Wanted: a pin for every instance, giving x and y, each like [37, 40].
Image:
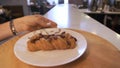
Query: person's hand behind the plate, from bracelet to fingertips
[33, 22]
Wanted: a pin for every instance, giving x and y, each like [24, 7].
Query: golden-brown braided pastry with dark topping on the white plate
[56, 41]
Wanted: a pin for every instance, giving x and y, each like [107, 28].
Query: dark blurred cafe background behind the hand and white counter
[96, 9]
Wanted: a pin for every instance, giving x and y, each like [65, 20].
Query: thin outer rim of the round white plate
[55, 64]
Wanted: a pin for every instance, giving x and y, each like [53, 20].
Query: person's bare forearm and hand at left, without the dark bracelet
[26, 23]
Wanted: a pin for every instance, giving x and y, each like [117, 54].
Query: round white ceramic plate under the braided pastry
[49, 58]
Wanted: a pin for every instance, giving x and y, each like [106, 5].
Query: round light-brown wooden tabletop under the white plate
[99, 54]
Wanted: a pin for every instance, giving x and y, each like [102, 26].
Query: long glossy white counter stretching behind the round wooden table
[67, 16]
